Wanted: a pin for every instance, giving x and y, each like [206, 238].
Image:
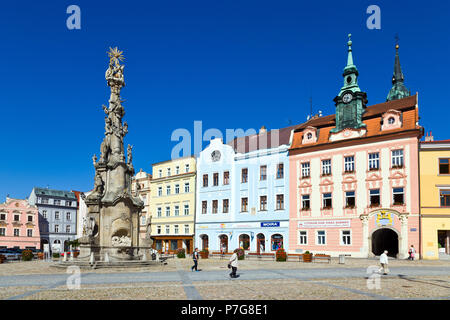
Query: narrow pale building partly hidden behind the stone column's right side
[141, 186]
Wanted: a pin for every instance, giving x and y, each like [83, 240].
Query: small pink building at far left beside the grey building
[19, 225]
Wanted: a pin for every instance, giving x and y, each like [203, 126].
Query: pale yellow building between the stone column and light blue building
[172, 204]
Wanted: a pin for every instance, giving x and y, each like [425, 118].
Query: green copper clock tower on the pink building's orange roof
[351, 101]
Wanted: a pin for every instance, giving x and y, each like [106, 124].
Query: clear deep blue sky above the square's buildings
[230, 64]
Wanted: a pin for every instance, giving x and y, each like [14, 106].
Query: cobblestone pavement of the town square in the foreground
[294, 280]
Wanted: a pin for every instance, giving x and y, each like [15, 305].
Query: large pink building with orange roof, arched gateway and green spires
[354, 175]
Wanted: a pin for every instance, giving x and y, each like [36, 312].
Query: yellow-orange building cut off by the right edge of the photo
[435, 198]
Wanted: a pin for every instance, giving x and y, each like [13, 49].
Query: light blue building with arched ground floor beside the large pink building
[243, 193]
